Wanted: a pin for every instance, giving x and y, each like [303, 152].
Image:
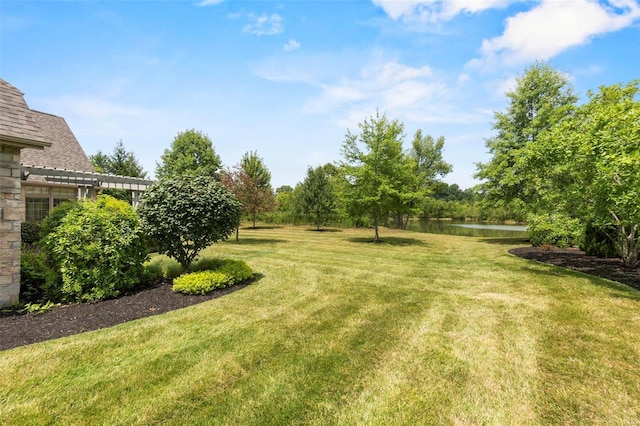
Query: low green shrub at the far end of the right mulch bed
[555, 230]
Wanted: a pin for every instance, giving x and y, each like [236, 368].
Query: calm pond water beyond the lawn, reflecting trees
[468, 229]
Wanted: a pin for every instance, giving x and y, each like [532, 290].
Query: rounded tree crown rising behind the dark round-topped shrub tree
[191, 153]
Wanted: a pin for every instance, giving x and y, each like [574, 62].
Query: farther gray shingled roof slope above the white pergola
[64, 153]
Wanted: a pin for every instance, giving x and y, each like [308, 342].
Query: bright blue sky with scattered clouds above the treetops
[289, 78]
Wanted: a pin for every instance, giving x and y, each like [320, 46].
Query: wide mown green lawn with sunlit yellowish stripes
[422, 329]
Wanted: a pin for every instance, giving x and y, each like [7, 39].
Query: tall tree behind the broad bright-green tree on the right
[542, 97]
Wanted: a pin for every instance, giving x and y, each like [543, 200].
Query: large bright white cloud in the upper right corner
[553, 27]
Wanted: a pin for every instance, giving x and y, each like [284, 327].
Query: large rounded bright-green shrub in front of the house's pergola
[99, 249]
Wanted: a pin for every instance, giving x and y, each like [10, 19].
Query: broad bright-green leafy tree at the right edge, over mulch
[588, 165]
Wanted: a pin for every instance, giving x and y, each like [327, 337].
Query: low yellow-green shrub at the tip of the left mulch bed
[226, 273]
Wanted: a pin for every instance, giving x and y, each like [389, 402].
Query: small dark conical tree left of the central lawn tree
[317, 197]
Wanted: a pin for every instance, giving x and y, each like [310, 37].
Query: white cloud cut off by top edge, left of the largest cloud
[429, 11]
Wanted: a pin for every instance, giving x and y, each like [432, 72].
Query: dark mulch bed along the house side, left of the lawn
[19, 330]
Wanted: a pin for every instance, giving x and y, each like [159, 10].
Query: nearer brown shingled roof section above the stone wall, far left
[17, 122]
